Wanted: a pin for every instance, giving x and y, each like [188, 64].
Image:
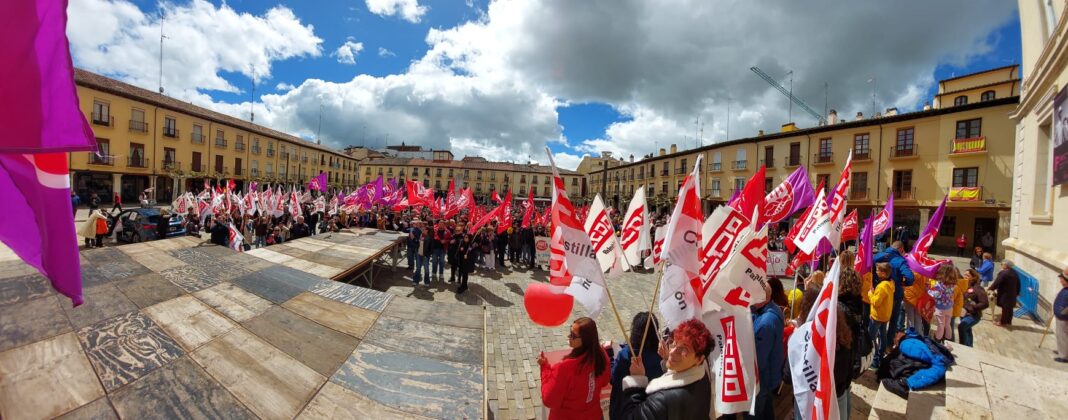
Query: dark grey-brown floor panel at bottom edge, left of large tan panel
[180, 391]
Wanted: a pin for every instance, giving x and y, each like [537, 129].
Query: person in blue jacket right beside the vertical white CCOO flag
[768, 323]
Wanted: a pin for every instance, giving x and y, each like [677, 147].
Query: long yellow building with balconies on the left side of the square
[146, 141]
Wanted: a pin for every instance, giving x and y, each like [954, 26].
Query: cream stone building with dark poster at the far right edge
[1040, 207]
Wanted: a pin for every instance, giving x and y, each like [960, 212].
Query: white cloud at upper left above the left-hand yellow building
[203, 41]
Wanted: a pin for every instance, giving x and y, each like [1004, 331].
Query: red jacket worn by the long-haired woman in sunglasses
[571, 392]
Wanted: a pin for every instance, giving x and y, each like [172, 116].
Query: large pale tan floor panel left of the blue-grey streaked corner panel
[269, 382]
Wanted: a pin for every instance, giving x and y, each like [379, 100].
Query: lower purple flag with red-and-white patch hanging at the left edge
[38, 223]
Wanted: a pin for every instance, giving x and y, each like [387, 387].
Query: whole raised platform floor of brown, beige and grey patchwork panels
[176, 330]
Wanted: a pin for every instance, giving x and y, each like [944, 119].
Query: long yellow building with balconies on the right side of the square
[963, 151]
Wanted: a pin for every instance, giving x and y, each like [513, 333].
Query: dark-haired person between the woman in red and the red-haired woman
[621, 366]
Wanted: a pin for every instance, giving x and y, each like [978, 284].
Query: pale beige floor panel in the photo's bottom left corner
[46, 379]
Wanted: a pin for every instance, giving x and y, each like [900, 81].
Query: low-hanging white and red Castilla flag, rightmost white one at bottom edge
[812, 352]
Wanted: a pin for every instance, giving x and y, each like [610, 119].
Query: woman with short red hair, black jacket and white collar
[684, 392]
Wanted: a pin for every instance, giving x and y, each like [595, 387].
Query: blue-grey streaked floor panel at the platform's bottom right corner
[414, 384]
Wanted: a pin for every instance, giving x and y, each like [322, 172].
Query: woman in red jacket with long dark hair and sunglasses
[572, 388]
